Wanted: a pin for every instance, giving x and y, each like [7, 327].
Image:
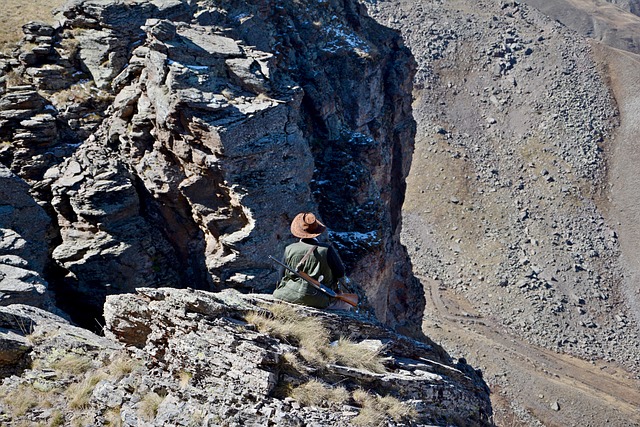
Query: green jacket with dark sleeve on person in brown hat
[323, 261]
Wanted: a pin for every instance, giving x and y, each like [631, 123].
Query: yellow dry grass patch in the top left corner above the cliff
[15, 13]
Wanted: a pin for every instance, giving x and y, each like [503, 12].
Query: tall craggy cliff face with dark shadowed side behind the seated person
[172, 143]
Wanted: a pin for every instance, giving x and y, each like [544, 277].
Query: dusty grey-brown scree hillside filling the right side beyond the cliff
[511, 218]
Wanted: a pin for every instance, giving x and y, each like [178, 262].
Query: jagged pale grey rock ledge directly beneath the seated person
[238, 373]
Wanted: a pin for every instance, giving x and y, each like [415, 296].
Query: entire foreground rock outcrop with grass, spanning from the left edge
[191, 358]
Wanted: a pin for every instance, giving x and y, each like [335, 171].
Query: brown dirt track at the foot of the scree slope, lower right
[554, 389]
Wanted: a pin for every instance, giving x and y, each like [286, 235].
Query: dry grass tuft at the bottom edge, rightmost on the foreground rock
[376, 409]
